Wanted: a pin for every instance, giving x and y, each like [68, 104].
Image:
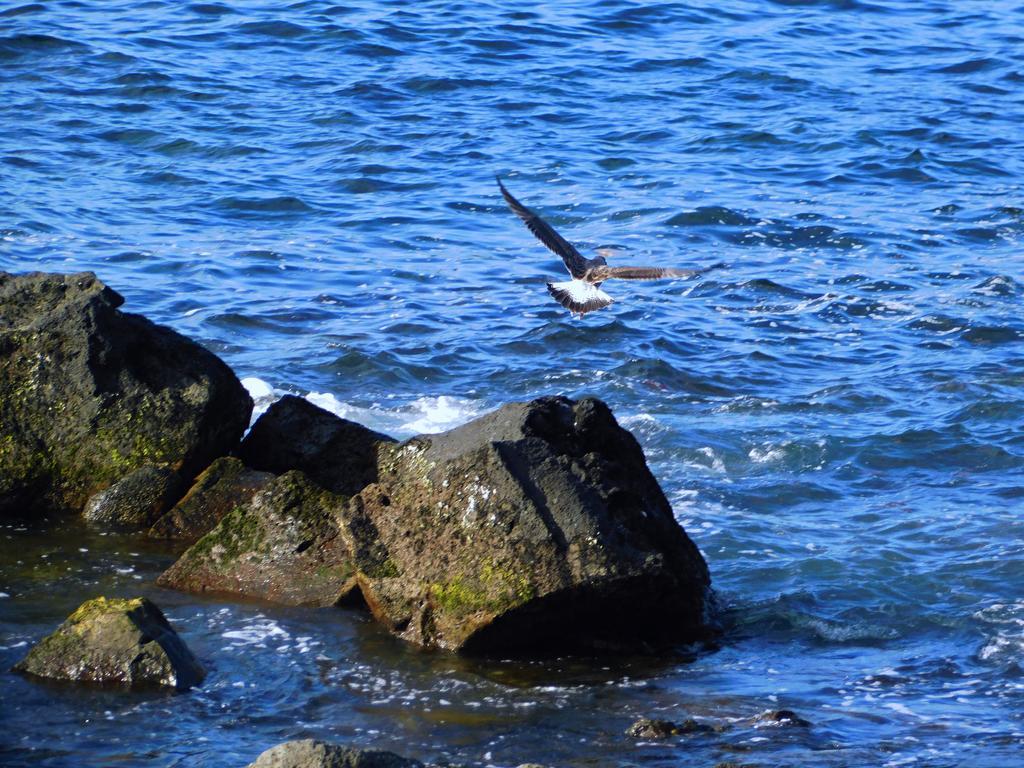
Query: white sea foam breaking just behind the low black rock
[426, 415]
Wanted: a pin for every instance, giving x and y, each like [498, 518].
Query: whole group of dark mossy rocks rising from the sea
[537, 530]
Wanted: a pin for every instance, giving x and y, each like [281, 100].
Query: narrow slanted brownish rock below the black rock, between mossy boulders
[224, 486]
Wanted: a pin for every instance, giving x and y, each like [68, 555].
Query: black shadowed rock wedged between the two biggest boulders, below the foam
[339, 455]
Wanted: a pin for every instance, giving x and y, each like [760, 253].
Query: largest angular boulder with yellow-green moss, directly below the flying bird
[537, 529]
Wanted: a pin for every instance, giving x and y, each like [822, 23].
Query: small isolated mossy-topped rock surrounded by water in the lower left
[115, 642]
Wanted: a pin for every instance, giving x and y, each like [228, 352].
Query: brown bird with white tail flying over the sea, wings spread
[583, 294]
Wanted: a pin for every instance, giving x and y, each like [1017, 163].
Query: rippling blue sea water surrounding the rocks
[837, 413]
